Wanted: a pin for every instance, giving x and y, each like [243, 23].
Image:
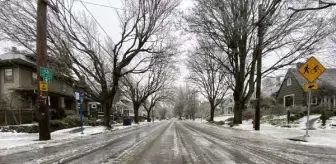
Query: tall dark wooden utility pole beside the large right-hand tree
[261, 31]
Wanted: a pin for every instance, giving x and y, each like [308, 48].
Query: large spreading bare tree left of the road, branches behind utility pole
[74, 39]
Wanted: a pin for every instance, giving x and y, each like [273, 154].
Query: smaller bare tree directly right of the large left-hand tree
[138, 87]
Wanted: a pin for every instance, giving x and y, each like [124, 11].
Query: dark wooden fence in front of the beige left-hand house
[16, 117]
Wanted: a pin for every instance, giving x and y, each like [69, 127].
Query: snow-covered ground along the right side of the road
[317, 137]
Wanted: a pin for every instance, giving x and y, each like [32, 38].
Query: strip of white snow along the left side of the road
[11, 140]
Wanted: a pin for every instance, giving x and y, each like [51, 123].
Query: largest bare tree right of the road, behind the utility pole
[230, 26]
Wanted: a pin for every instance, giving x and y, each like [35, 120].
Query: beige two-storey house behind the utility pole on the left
[18, 75]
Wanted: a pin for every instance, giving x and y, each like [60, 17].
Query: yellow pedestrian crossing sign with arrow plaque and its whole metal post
[311, 70]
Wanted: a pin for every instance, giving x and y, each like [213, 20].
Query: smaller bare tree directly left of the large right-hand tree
[208, 75]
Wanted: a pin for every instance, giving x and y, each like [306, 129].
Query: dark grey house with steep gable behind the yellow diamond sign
[292, 93]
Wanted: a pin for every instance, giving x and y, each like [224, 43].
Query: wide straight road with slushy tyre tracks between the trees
[176, 142]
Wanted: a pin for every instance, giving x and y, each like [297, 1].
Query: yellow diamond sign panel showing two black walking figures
[312, 69]
